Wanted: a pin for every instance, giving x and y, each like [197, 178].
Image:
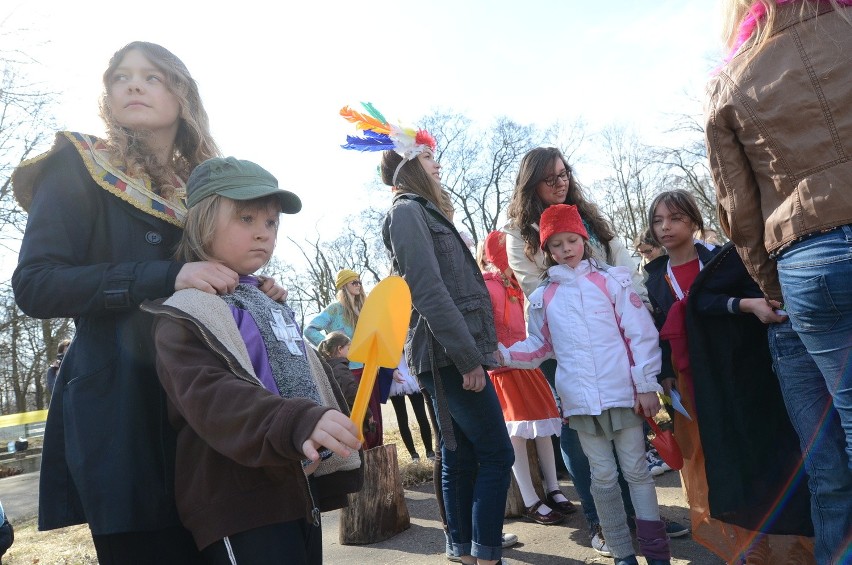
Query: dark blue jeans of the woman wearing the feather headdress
[476, 476]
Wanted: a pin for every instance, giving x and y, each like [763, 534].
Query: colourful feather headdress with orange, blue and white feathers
[379, 135]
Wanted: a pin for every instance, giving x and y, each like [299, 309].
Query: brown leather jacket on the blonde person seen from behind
[779, 138]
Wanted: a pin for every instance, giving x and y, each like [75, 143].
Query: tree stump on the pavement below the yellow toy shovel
[378, 511]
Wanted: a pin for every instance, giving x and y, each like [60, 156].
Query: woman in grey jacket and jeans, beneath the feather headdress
[451, 338]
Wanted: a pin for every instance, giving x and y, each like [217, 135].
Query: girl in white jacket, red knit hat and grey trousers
[607, 348]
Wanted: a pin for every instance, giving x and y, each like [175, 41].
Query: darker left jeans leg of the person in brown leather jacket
[821, 438]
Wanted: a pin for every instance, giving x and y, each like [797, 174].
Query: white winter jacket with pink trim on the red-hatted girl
[580, 325]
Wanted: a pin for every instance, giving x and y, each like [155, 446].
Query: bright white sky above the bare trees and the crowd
[273, 75]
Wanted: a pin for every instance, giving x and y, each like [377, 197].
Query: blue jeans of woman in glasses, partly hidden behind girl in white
[578, 464]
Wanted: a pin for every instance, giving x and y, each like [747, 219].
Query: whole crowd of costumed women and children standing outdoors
[228, 426]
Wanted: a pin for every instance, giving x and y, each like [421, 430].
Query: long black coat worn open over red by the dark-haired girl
[750, 448]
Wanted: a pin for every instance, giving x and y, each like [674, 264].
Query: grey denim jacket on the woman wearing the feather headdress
[449, 297]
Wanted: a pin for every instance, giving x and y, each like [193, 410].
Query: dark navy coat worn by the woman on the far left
[88, 254]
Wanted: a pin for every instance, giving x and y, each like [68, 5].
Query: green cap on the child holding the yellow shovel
[238, 180]
